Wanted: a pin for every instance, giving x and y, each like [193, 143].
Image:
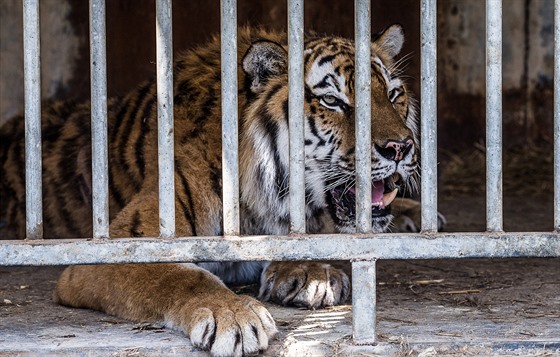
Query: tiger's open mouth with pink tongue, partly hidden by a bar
[343, 201]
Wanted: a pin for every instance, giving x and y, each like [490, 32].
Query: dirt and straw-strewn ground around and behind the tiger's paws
[425, 307]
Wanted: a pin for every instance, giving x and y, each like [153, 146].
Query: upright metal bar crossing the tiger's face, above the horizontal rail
[362, 29]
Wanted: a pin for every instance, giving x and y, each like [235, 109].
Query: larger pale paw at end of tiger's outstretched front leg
[240, 326]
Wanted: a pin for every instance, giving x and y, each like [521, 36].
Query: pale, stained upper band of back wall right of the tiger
[527, 47]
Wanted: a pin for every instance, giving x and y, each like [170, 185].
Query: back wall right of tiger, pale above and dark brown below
[528, 60]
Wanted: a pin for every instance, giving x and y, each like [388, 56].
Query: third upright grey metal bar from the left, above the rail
[164, 55]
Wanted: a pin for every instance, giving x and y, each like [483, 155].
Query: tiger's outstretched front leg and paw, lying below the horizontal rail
[182, 296]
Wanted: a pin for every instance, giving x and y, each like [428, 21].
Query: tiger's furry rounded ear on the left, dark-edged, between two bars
[263, 60]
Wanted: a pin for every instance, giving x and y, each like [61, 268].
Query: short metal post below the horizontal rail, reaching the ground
[363, 302]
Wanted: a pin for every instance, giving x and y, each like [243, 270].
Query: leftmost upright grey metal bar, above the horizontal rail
[32, 92]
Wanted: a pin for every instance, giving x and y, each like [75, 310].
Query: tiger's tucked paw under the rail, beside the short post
[304, 284]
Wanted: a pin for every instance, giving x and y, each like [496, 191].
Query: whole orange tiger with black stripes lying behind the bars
[195, 298]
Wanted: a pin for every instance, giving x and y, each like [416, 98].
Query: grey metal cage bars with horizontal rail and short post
[363, 248]
